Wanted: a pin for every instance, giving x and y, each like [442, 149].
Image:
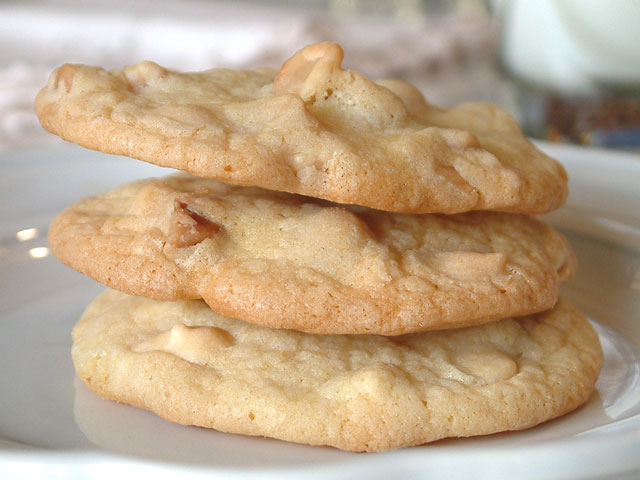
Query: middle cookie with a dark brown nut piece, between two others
[288, 261]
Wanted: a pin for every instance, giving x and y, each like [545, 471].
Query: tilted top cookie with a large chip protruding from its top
[313, 129]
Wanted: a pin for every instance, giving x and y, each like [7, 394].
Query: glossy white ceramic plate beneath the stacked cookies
[50, 425]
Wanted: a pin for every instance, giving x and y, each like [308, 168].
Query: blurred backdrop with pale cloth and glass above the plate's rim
[568, 70]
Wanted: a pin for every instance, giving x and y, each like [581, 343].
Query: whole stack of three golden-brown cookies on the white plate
[343, 264]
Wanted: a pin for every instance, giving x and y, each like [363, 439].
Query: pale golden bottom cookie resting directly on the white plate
[354, 392]
